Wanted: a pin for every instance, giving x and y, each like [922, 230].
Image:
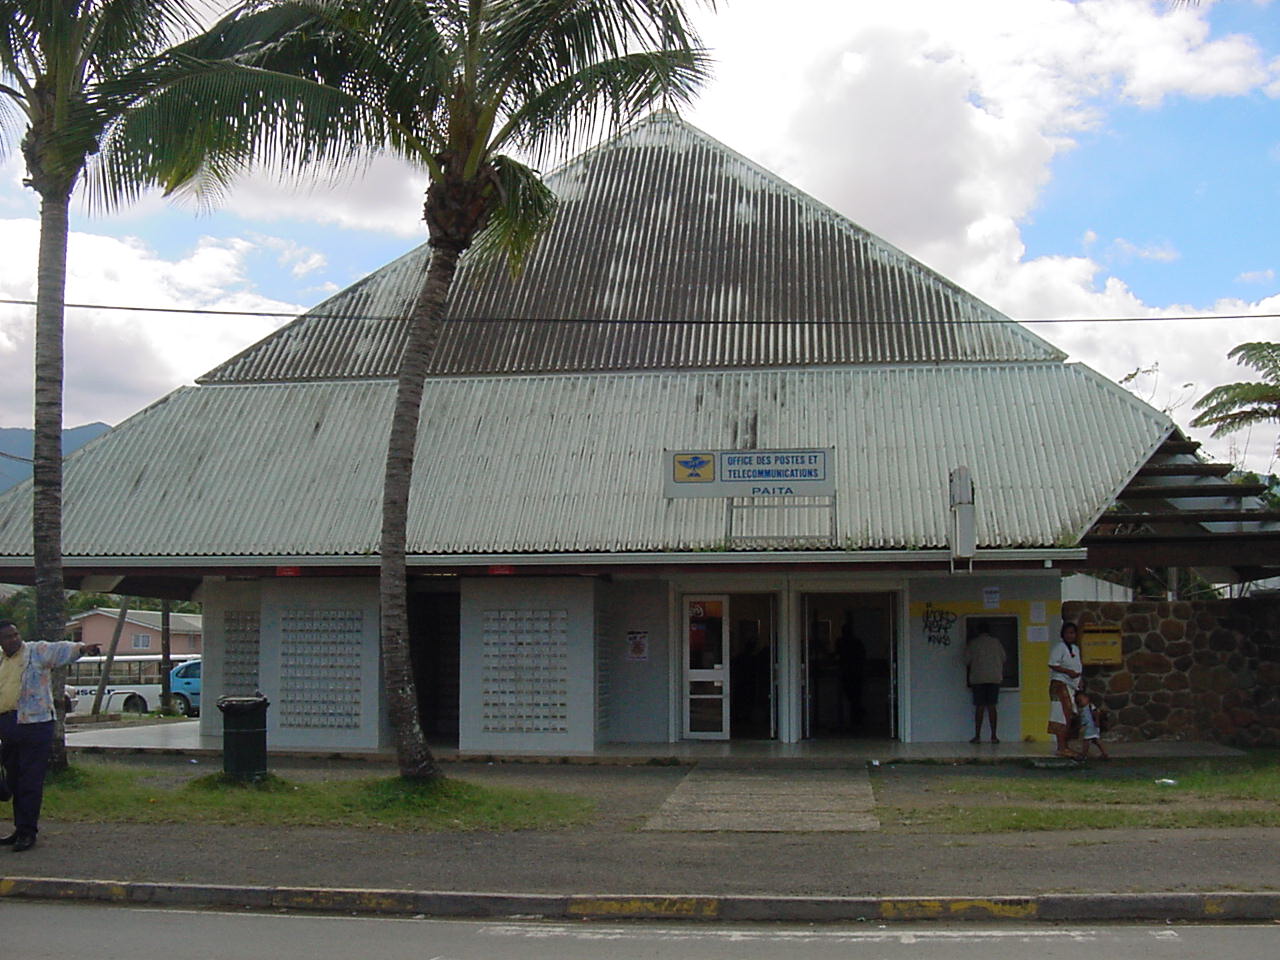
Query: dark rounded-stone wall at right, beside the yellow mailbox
[1191, 671]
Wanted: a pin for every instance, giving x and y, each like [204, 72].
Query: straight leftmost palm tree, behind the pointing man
[71, 72]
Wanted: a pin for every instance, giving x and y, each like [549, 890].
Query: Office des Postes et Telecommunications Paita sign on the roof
[801, 473]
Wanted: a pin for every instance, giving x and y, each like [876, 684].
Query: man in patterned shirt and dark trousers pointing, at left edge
[28, 724]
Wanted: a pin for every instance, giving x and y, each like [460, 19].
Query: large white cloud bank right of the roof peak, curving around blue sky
[935, 125]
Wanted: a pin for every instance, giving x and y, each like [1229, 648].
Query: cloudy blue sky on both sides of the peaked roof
[1062, 159]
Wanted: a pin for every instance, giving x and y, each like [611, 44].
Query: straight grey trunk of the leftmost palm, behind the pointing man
[47, 516]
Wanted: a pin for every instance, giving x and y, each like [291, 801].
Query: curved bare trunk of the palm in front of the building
[413, 755]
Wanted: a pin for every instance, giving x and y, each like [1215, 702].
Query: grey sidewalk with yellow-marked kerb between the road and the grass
[615, 868]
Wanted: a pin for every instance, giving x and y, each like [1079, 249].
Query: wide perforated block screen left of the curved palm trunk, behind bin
[321, 653]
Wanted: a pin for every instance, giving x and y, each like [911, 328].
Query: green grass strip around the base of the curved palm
[99, 793]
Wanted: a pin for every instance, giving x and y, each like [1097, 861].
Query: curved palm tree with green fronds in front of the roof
[460, 85]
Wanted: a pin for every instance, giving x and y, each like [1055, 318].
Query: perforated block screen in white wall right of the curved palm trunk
[524, 675]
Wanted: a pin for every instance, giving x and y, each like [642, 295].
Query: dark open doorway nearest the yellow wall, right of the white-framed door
[849, 666]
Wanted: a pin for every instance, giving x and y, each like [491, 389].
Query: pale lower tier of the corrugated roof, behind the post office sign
[572, 464]
